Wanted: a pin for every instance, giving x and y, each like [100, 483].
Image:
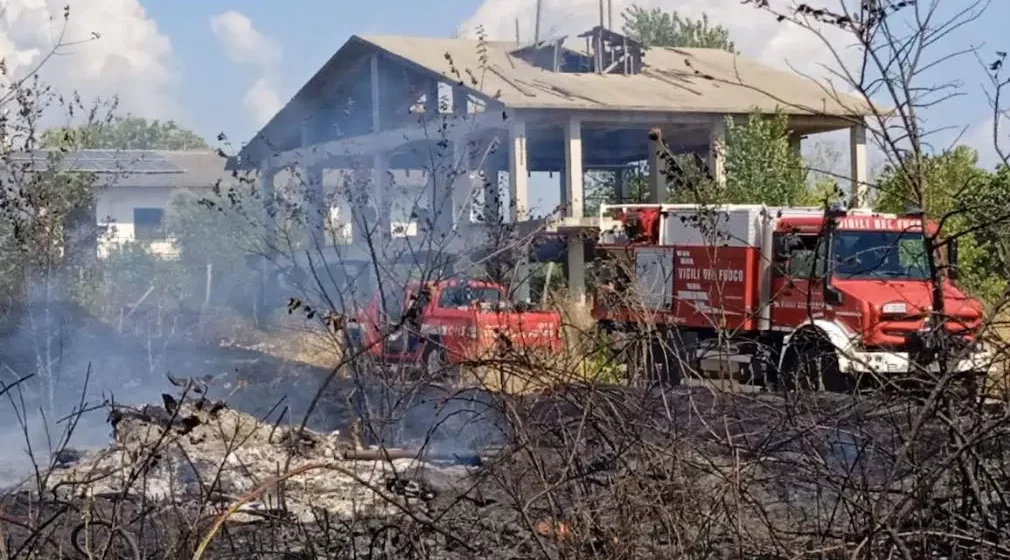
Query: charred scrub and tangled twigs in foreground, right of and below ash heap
[618, 474]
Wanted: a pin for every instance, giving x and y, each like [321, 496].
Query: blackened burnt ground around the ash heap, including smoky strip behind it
[589, 473]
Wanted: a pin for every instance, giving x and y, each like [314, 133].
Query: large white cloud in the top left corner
[131, 57]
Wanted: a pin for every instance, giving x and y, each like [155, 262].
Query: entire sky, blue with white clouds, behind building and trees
[168, 59]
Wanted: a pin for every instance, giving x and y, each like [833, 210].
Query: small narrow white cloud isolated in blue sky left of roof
[245, 45]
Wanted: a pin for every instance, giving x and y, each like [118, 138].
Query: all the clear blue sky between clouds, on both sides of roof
[309, 32]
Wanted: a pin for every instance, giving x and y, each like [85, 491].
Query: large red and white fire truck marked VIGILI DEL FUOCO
[819, 299]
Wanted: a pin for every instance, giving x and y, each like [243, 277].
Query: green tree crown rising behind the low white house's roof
[129, 133]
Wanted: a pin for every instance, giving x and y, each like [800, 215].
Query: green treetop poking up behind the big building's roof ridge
[657, 28]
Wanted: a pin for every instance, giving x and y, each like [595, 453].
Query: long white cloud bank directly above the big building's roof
[756, 33]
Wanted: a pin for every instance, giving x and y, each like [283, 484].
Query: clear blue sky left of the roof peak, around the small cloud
[309, 32]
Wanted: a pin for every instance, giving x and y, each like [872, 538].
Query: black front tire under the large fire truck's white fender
[812, 364]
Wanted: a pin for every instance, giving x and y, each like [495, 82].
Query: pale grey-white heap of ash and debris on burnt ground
[205, 452]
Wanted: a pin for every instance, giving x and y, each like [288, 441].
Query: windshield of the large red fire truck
[889, 255]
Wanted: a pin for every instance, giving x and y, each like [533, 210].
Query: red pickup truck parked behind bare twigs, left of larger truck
[450, 323]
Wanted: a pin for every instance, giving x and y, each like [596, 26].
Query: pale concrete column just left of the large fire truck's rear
[574, 208]
